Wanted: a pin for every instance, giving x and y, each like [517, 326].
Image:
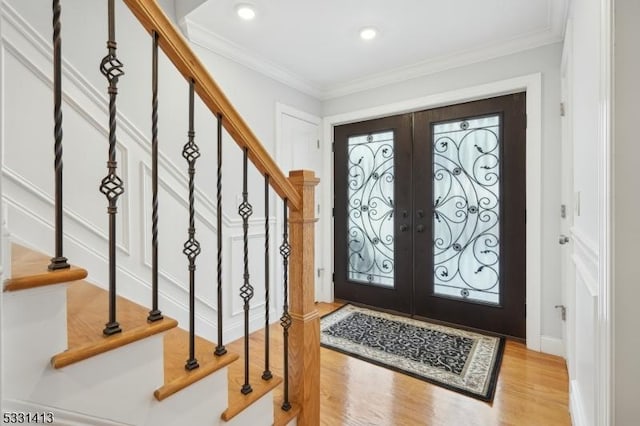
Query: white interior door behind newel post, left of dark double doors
[299, 148]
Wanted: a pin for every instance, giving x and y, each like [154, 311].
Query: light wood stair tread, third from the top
[176, 353]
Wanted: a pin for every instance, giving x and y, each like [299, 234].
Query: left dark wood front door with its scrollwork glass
[372, 262]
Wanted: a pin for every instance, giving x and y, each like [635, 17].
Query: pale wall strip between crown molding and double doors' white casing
[545, 60]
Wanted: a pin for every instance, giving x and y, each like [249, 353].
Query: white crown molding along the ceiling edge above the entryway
[552, 33]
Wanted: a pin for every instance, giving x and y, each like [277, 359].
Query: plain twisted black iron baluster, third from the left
[154, 314]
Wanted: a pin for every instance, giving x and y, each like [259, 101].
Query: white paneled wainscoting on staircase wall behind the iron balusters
[27, 170]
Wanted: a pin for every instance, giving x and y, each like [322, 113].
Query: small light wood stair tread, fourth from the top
[237, 401]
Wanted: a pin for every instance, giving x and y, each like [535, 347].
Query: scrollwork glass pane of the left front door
[370, 231]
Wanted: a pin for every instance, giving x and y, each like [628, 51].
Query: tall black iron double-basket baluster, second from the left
[112, 186]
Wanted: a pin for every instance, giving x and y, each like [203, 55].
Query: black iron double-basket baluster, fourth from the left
[191, 152]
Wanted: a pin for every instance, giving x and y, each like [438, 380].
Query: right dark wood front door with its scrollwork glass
[469, 198]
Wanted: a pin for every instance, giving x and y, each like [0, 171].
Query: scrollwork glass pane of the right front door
[466, 209]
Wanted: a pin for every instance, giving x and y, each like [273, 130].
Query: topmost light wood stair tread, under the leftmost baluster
[29, 270]
